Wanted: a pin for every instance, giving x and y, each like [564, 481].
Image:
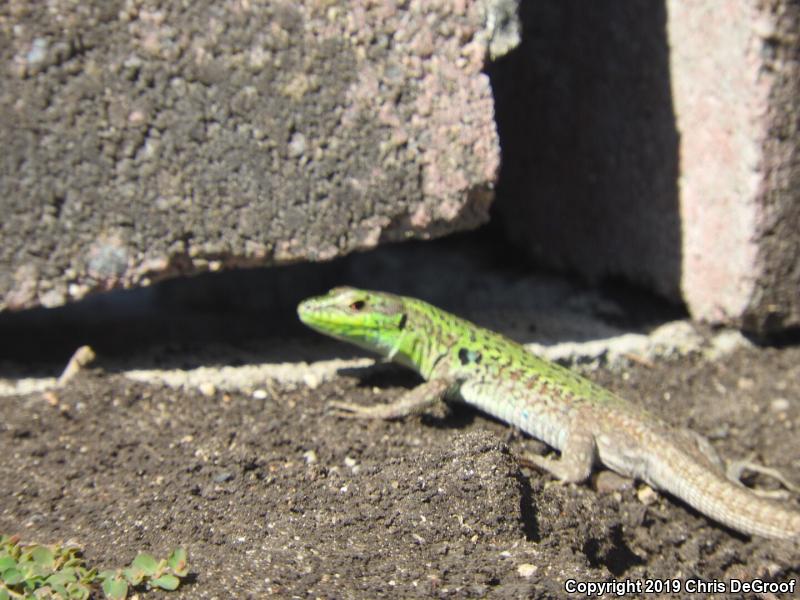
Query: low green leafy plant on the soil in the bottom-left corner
[58, 572]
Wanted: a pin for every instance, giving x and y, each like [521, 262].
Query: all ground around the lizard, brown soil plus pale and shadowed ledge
[228, 448]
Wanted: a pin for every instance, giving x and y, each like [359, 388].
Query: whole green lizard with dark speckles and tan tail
[585, 422]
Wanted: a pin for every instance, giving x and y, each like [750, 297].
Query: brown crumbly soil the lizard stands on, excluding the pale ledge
[273, 495]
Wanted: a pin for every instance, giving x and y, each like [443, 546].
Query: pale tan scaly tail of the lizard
[727, 502]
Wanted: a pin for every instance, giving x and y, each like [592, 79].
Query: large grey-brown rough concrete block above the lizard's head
[144, 138]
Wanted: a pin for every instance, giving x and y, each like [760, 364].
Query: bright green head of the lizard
[375, 321]
